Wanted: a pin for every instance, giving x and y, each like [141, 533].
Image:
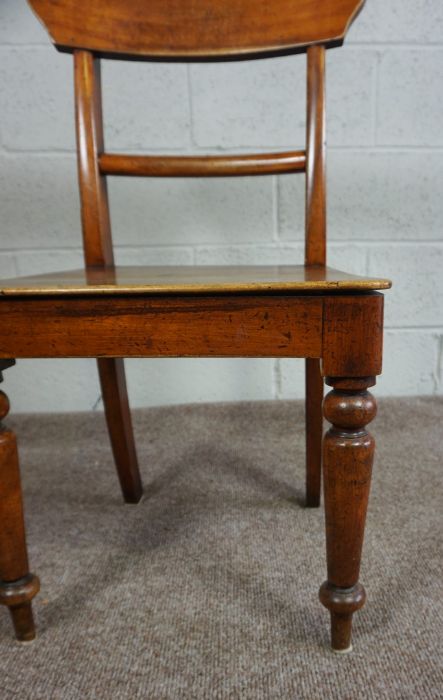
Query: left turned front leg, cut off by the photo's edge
[17, 585]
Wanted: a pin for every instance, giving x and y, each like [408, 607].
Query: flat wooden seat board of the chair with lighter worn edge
[149, 280]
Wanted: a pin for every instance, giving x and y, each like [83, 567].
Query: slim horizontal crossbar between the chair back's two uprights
[202, 166]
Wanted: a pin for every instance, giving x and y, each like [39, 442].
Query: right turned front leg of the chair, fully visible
[348, 451]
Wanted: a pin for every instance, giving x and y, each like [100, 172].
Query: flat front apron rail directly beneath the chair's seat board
[172, 326]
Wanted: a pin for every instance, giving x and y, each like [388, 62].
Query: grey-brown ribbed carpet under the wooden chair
[208, 588]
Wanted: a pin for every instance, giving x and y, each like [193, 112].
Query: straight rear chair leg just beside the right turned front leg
[314, 431]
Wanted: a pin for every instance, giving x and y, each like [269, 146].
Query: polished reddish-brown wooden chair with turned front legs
[332, 319]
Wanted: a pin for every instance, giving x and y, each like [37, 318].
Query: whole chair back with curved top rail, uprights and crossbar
[191, 30]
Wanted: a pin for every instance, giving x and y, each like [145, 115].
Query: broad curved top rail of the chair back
[195, 28]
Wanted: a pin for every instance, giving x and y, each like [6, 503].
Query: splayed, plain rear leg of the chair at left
[118, 417]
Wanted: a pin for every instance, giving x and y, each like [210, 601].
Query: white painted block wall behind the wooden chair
[385, 102]
